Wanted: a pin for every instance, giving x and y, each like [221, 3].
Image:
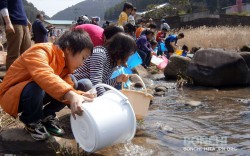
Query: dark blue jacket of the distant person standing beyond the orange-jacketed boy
[40, 33]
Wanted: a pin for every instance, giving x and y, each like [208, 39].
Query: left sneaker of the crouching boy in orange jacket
[37, 131]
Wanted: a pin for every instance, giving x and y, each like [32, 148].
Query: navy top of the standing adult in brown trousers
[16, 11]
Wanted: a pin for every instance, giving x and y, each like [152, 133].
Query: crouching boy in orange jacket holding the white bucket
[37, 84]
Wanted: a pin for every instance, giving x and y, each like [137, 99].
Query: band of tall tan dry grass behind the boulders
[232, 38]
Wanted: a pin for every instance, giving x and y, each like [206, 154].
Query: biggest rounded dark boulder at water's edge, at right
[216, 68]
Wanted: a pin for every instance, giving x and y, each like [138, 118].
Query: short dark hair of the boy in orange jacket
[75, 40]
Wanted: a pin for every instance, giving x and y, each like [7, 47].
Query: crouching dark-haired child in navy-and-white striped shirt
[99, 67]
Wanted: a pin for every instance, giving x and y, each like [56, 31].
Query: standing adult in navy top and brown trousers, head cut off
[17, 29]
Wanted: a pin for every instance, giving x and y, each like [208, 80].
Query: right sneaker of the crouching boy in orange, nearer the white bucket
[51, 124]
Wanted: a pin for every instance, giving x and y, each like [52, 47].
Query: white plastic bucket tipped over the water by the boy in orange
[106, 121]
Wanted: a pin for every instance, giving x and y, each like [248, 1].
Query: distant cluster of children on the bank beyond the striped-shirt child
[147, 37]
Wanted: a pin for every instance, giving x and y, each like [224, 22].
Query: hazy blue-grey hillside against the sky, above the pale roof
[88, 7]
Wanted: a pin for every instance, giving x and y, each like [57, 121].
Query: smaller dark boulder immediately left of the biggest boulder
[176, 65]
